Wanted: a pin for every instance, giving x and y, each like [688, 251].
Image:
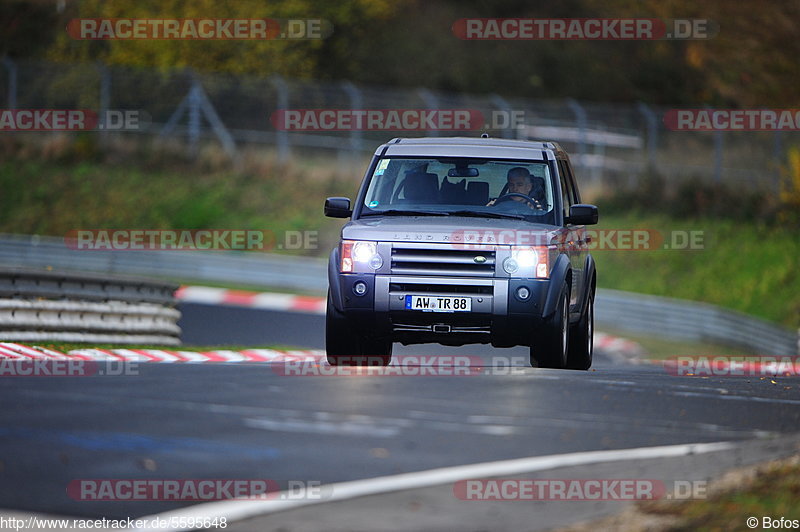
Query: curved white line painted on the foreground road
[237, 510]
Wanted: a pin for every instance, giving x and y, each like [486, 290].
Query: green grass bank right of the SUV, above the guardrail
[745, 267]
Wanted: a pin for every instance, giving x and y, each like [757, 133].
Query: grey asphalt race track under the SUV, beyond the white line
[246, 421]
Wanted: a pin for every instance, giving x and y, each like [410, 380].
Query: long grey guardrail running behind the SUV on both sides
[625, 311]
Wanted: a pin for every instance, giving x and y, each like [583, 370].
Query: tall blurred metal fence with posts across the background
[615, 142]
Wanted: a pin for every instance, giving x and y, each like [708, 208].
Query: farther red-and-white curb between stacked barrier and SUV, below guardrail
[262, 300]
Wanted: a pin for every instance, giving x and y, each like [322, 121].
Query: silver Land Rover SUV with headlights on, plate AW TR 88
[463, 240]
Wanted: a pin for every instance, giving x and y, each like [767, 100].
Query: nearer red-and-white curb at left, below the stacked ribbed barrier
[19, 351]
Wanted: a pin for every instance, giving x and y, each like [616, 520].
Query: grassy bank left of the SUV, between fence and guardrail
[53, 197]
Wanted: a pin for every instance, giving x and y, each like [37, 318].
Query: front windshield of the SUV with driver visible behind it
[462, 187]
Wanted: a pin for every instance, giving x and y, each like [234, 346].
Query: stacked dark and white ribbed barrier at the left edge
[45, 305]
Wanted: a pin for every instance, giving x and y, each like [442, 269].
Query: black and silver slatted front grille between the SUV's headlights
[432, 261]
